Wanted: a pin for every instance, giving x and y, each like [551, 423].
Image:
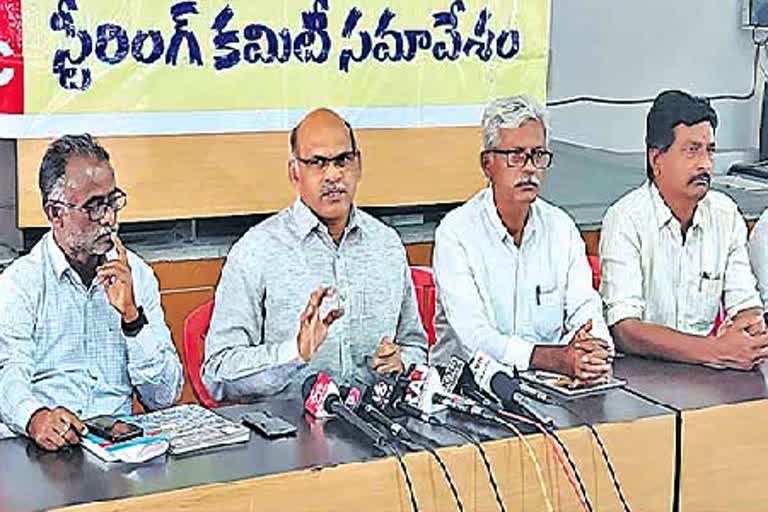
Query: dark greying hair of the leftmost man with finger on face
[54, 164]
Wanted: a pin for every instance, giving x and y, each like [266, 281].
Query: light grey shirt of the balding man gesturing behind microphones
[251, 349]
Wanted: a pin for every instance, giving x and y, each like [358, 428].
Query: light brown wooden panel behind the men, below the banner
[176, 177]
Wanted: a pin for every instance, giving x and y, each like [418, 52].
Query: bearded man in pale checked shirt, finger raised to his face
[80, 319]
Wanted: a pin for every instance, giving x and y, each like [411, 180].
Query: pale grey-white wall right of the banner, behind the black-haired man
[636, 48]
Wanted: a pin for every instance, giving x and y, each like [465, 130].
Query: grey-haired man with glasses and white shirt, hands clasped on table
[511, 270]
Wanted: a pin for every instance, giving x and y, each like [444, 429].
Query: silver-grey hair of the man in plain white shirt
[512, 112]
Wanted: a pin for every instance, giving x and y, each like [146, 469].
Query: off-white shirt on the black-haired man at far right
[649, 272]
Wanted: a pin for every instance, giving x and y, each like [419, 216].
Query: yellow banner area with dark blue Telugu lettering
[153, 56]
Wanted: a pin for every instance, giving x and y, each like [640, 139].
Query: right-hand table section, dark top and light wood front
[721, 413]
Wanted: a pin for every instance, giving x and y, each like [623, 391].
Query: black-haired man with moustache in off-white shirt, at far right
[673, 252]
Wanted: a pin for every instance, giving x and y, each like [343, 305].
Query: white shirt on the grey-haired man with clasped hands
[503, 300]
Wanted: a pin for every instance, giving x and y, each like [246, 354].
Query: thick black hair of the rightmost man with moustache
[669, 109]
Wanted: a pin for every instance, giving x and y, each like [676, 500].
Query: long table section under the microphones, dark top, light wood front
[328, 467]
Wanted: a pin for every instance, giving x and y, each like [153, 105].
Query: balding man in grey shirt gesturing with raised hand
[319, 286]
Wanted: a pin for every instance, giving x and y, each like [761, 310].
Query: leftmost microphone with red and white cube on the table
[322, 400]
